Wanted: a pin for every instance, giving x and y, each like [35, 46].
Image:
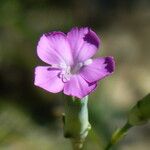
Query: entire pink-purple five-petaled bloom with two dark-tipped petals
[71, 68]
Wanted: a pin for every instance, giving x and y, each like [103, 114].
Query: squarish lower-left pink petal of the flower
[47, 78]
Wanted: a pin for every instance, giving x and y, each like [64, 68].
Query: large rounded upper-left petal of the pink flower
[54, 48]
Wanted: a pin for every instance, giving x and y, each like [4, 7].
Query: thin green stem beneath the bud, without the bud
[118, 135]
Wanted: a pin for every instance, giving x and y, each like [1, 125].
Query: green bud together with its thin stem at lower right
[138, 115]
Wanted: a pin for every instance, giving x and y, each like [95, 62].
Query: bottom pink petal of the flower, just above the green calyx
[78, 87]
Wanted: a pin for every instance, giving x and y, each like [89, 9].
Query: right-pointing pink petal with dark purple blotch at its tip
[98, 69]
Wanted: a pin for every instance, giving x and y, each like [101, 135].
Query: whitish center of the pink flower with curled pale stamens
[67, 71]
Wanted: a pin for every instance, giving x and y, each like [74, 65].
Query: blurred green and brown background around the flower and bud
[30, 118]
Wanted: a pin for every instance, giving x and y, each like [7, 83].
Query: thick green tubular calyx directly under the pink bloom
[76, 123]
